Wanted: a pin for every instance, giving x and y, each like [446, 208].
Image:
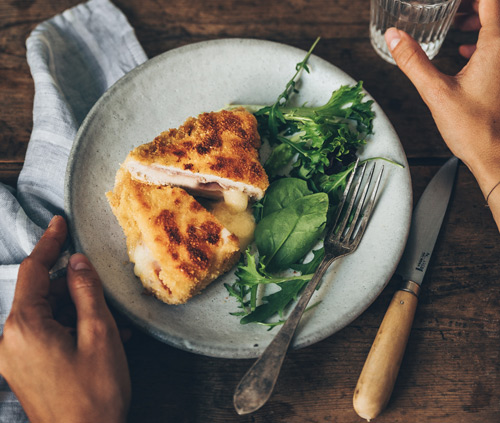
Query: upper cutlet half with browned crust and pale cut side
[213, 155]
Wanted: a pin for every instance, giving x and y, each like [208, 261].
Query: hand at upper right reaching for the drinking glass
[465, 107]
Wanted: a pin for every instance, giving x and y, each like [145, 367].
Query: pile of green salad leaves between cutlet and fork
[319, 144]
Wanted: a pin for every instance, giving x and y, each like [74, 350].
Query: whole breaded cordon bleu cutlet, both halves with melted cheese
[178, 245]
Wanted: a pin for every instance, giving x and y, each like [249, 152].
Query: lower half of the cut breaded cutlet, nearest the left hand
[177, 246]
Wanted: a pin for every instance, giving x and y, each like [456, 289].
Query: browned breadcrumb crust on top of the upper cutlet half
[224, 144]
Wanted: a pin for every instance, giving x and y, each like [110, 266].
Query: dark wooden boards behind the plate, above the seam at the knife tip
[162, 26]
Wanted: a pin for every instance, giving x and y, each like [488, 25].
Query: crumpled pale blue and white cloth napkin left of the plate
[73, 57]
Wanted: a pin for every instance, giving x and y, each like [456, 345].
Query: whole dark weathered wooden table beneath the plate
[451, 370]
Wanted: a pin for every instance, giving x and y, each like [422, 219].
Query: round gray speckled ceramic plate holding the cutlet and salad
[160, 95]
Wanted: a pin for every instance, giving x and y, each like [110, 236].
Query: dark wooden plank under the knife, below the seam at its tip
[449, 373]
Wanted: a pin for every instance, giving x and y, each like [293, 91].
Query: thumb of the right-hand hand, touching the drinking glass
[414, 63]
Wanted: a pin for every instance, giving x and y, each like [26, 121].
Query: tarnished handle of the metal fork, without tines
[257, 385]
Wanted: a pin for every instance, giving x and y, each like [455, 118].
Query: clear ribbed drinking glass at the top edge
[427, 21]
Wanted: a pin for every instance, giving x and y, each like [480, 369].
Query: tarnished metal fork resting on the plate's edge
[343, 238]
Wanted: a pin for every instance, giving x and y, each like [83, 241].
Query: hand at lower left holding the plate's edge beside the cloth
[60, 373]
